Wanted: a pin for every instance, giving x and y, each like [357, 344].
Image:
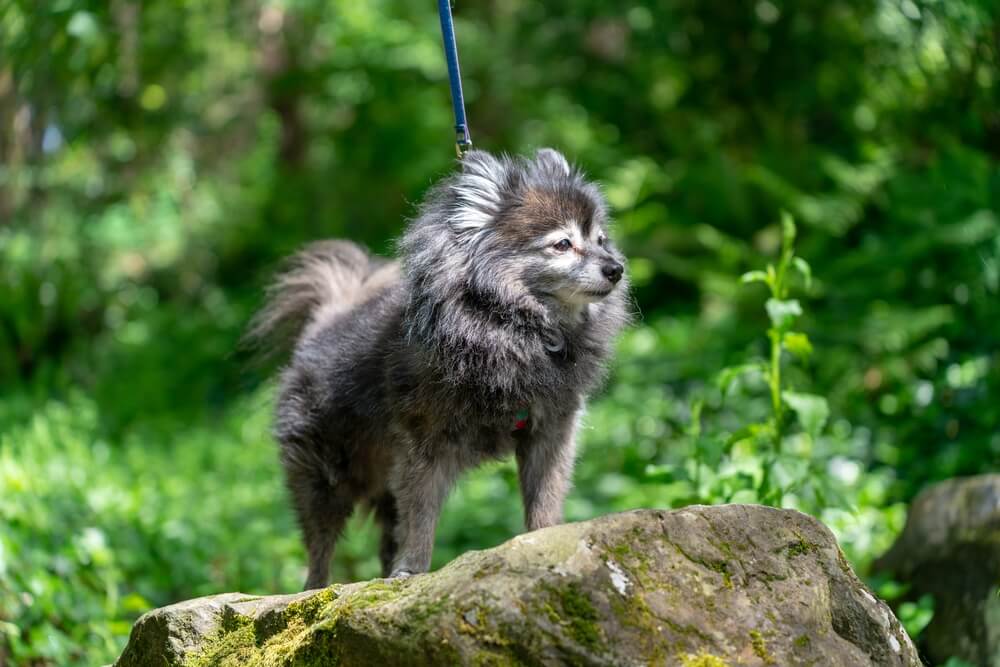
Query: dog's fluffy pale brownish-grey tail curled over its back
[321, 282]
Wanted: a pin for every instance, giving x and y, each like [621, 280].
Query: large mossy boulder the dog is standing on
[698, 587]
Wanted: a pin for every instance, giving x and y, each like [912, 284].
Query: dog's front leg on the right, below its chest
[545, 466]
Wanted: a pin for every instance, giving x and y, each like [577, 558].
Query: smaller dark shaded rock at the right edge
[950, 548]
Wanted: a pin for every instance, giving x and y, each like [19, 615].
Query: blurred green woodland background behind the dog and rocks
[157, 159]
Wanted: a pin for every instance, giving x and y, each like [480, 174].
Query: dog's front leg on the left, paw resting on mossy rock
[420, 486]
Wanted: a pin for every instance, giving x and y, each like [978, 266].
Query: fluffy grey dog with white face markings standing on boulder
[484, 339]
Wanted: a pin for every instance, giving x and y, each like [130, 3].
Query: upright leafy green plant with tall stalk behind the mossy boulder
[754, 454]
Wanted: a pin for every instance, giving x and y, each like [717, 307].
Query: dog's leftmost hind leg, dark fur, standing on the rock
[322, 510]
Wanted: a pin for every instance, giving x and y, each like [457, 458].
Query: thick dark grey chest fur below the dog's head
[466, 380]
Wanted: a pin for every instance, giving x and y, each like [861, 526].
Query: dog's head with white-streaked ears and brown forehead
[534, 226]
